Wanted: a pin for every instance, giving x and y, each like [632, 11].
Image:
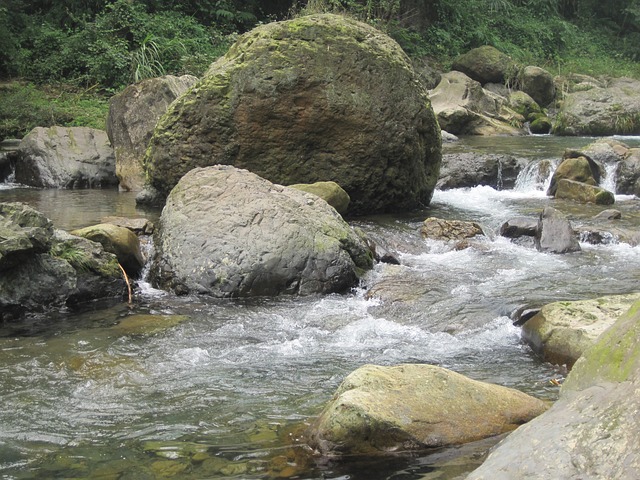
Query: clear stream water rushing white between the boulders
[220, 391]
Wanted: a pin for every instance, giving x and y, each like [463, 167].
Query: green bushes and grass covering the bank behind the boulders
[60, 61]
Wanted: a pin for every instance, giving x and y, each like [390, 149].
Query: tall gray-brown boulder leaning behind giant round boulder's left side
[133, 114]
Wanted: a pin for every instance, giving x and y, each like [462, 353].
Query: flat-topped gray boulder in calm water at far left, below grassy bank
[66, 157]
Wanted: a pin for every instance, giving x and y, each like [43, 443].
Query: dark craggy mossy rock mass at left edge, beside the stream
[43, 269]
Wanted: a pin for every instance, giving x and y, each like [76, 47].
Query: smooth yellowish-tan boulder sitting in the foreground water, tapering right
[380, 410]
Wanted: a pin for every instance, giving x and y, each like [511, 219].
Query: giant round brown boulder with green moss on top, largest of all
[317, 98]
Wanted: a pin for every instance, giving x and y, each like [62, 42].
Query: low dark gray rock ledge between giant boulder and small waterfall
[469, 169]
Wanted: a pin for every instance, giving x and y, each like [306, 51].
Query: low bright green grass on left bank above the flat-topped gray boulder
[25, 106]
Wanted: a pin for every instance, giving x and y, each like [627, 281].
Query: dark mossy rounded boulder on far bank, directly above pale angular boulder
[485, 64]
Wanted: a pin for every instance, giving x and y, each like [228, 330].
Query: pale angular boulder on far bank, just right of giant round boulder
[463, 107]
